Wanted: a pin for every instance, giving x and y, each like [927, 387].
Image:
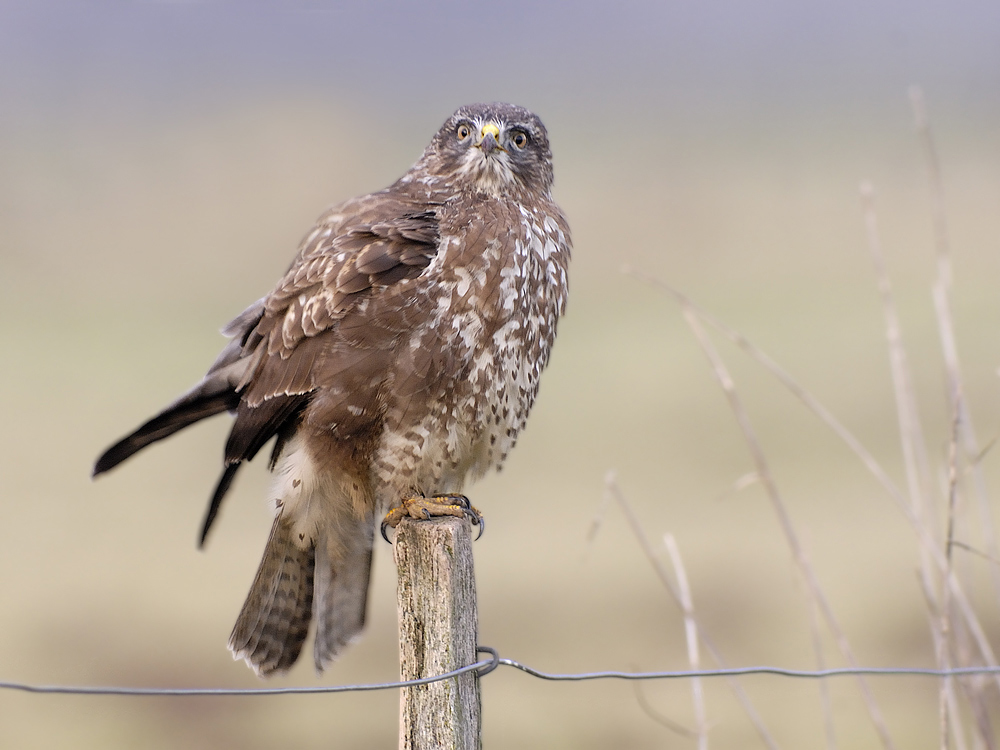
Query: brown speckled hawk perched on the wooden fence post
[397, 358]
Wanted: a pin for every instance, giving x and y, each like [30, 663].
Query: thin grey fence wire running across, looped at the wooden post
[485, 666]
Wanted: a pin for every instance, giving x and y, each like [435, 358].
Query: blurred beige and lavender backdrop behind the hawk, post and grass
[159, 162]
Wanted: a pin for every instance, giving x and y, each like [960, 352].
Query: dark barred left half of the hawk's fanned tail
[274, 621]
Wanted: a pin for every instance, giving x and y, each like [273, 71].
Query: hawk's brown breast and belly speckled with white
[471, 373]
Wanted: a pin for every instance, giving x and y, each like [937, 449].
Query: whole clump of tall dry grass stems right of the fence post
[938, 512]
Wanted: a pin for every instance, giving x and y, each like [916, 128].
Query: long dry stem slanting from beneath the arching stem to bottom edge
[791, 537]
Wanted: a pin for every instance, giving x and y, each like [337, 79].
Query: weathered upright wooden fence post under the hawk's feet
[436, 600]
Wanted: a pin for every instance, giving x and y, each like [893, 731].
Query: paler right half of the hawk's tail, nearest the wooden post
[343, 571]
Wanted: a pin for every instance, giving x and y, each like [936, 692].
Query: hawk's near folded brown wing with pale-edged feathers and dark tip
[318, 330]
